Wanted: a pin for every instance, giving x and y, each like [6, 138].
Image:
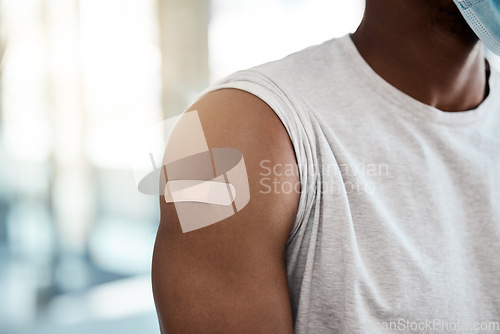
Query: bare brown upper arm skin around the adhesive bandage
[230, 277]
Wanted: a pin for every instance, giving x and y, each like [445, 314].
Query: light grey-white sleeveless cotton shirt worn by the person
[398, 226]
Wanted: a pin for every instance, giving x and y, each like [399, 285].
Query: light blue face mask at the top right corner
[483, 16]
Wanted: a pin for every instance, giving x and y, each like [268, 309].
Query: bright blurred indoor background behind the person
[76, 236]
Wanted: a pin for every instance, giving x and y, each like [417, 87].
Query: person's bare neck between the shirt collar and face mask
[431, 62]
